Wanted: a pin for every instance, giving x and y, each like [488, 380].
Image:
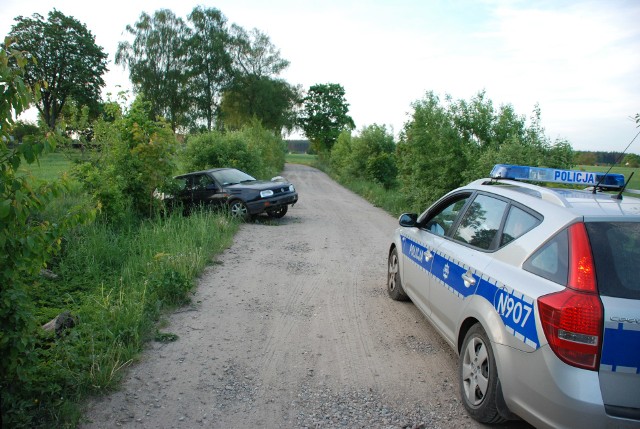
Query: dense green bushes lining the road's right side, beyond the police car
[443, 146]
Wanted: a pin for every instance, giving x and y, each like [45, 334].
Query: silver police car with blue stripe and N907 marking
[537, 289]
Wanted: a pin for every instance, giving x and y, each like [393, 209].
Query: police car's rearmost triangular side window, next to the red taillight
[551, 261]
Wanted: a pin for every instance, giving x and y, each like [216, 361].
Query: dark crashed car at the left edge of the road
[241, 194]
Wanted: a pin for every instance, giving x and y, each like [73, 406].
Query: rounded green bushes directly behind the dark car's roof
[253, 149]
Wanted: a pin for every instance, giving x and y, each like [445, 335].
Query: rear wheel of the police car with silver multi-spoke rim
[478, 377]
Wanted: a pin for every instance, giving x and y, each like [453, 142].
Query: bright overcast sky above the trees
[578, 60]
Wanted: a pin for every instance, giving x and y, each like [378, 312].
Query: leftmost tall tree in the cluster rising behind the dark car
[158, 64]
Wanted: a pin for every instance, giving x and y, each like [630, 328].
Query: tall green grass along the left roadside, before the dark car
[117, 281]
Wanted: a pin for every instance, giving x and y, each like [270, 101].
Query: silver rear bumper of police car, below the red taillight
[548, 393]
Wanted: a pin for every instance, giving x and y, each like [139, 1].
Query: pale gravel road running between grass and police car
[291, 327]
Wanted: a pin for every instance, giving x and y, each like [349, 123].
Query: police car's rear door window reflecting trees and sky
[481, 222]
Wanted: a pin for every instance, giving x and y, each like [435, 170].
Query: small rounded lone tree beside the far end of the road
[325, 116]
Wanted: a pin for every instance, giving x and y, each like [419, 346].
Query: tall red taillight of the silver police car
[572, 319]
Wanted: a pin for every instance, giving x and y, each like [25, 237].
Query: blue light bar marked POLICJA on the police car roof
[553, 175]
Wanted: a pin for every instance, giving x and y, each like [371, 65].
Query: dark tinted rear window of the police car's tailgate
[616, 253]
